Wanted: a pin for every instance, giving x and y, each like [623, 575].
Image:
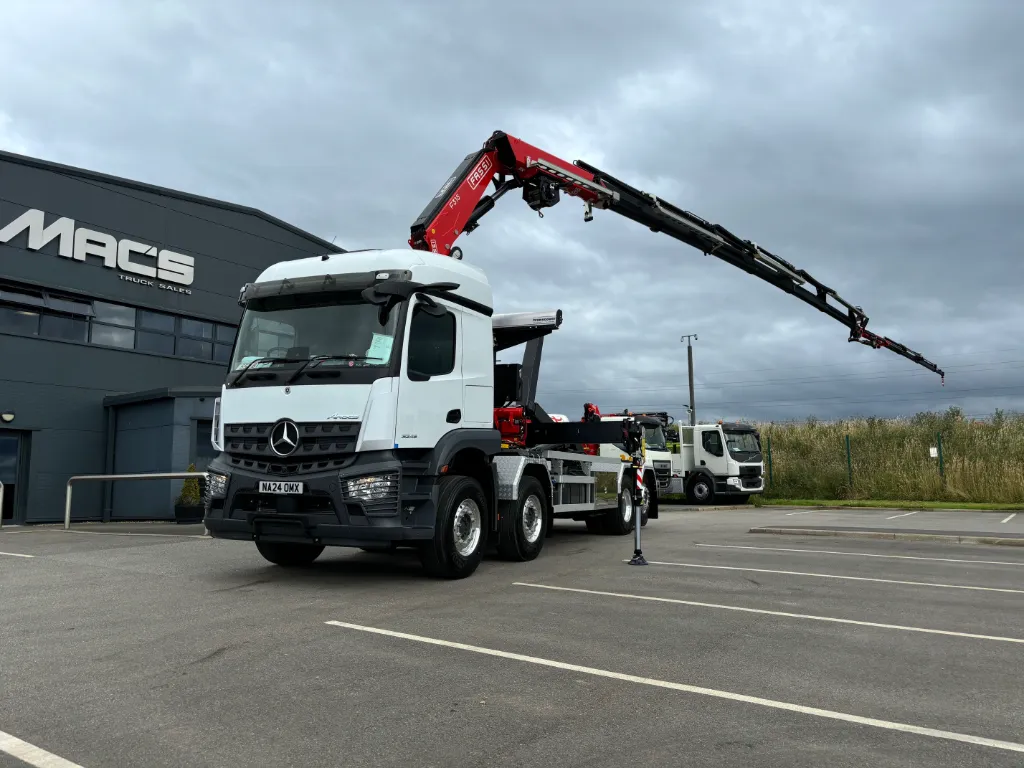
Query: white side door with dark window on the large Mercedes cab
[431, 386]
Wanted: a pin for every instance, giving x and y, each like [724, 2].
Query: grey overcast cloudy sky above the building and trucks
[880, 146]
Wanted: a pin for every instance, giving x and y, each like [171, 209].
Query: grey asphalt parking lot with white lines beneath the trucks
[731, 650]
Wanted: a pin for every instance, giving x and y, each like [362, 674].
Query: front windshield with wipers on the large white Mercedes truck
[347, 331]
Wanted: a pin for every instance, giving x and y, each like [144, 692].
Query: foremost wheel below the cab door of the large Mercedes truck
[460, 530]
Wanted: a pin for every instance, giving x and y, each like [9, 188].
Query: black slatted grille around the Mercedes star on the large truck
[322, 446]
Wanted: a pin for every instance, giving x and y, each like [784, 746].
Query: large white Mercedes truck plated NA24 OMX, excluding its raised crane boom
[364, 408]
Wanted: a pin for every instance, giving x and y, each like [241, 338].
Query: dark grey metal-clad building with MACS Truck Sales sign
[118, 312]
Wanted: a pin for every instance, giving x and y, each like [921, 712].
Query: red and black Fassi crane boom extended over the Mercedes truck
[511, 163]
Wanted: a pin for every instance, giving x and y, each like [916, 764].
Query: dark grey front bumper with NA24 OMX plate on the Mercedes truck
[328, 511]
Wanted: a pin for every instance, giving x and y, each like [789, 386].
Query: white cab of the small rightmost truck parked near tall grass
[718, 461]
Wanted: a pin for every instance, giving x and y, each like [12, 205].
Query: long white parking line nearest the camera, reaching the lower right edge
[800, 709]
